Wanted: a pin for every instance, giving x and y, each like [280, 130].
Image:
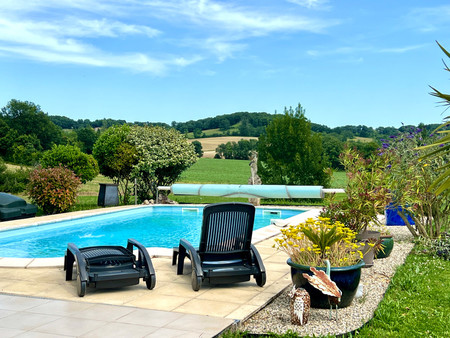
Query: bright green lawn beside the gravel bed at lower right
[416, 304]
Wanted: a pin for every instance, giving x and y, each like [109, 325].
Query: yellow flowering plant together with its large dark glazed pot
[310, 244]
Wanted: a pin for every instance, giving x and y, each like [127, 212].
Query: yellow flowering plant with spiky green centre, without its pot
[312, 242]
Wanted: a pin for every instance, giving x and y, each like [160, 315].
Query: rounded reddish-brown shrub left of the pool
[53, 189]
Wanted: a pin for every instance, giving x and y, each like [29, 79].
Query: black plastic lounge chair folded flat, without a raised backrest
[109, 266]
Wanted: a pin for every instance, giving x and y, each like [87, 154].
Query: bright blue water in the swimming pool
[155, 226]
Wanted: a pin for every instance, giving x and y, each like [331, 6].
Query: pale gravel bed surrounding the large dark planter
[275, 317]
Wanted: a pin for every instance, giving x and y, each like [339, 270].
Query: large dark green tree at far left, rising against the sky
[27, 118]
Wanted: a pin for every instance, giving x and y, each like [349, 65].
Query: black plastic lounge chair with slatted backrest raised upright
[225, 254]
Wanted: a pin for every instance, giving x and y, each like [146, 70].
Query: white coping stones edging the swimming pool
[258, 235]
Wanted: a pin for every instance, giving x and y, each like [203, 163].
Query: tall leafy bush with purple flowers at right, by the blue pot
[411, 174]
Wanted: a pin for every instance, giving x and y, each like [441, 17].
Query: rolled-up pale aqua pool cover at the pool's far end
[249, 191]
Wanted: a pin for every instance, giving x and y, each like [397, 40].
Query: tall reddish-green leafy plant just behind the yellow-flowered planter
[366, 195]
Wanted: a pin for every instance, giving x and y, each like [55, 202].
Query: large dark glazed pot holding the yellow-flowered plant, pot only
[346, 278]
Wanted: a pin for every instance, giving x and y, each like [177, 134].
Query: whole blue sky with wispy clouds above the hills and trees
[347, 62]
